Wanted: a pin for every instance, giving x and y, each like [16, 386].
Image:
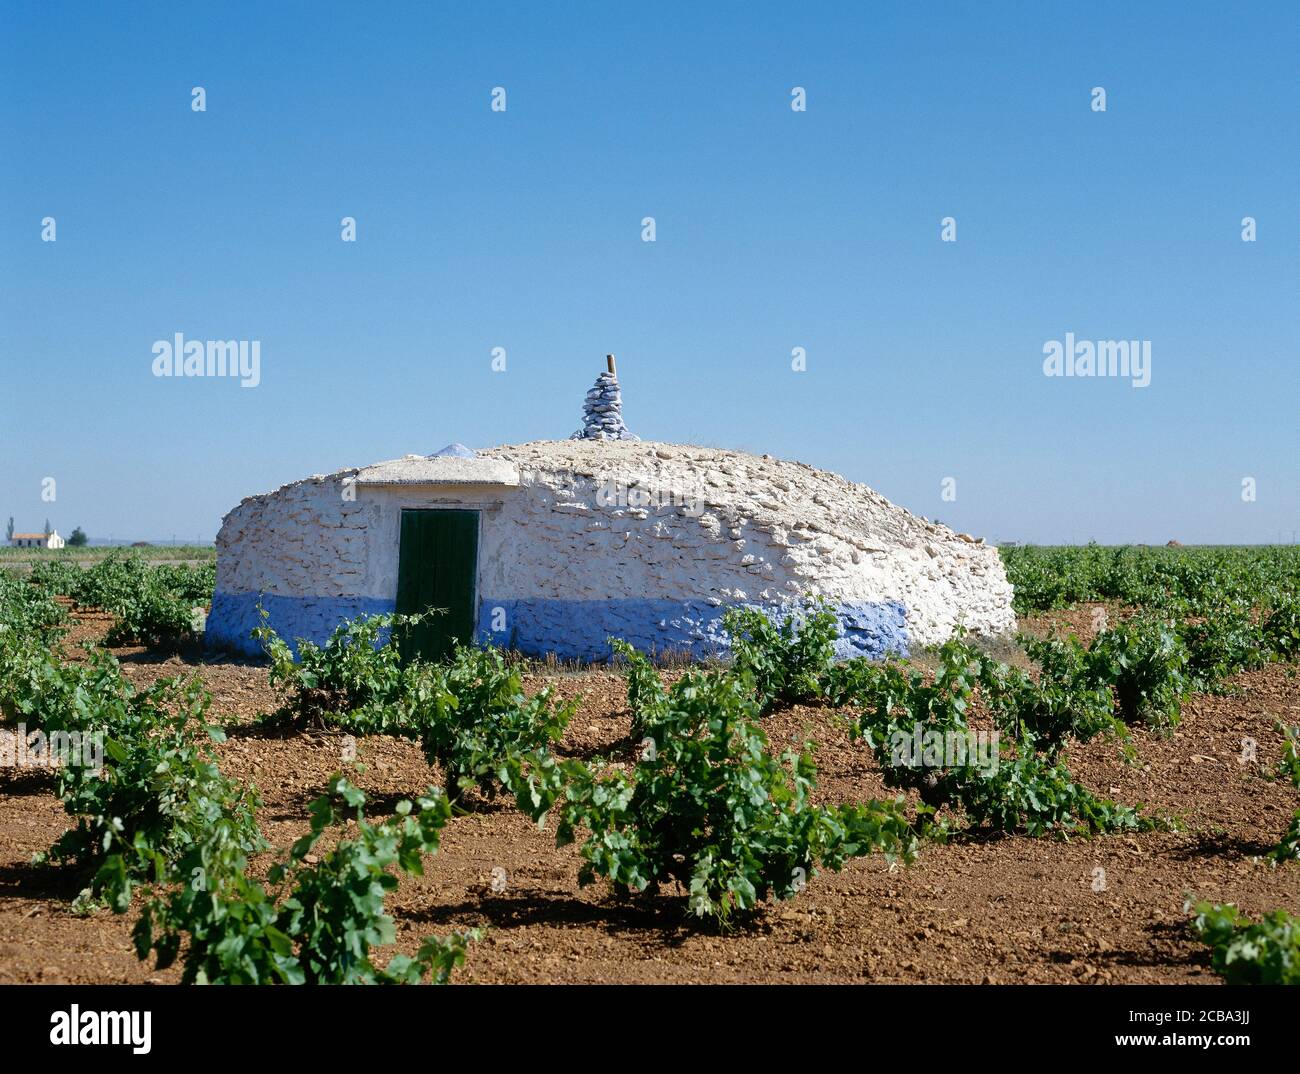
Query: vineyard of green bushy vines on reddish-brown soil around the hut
[1116, 796]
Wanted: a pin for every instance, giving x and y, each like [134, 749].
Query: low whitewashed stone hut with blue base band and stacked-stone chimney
[556, 547]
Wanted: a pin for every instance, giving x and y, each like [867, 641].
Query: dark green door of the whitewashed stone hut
[437, 566]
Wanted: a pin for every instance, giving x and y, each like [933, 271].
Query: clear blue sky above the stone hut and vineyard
[775, 229]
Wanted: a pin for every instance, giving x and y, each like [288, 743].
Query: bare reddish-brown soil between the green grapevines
[980, 910]
